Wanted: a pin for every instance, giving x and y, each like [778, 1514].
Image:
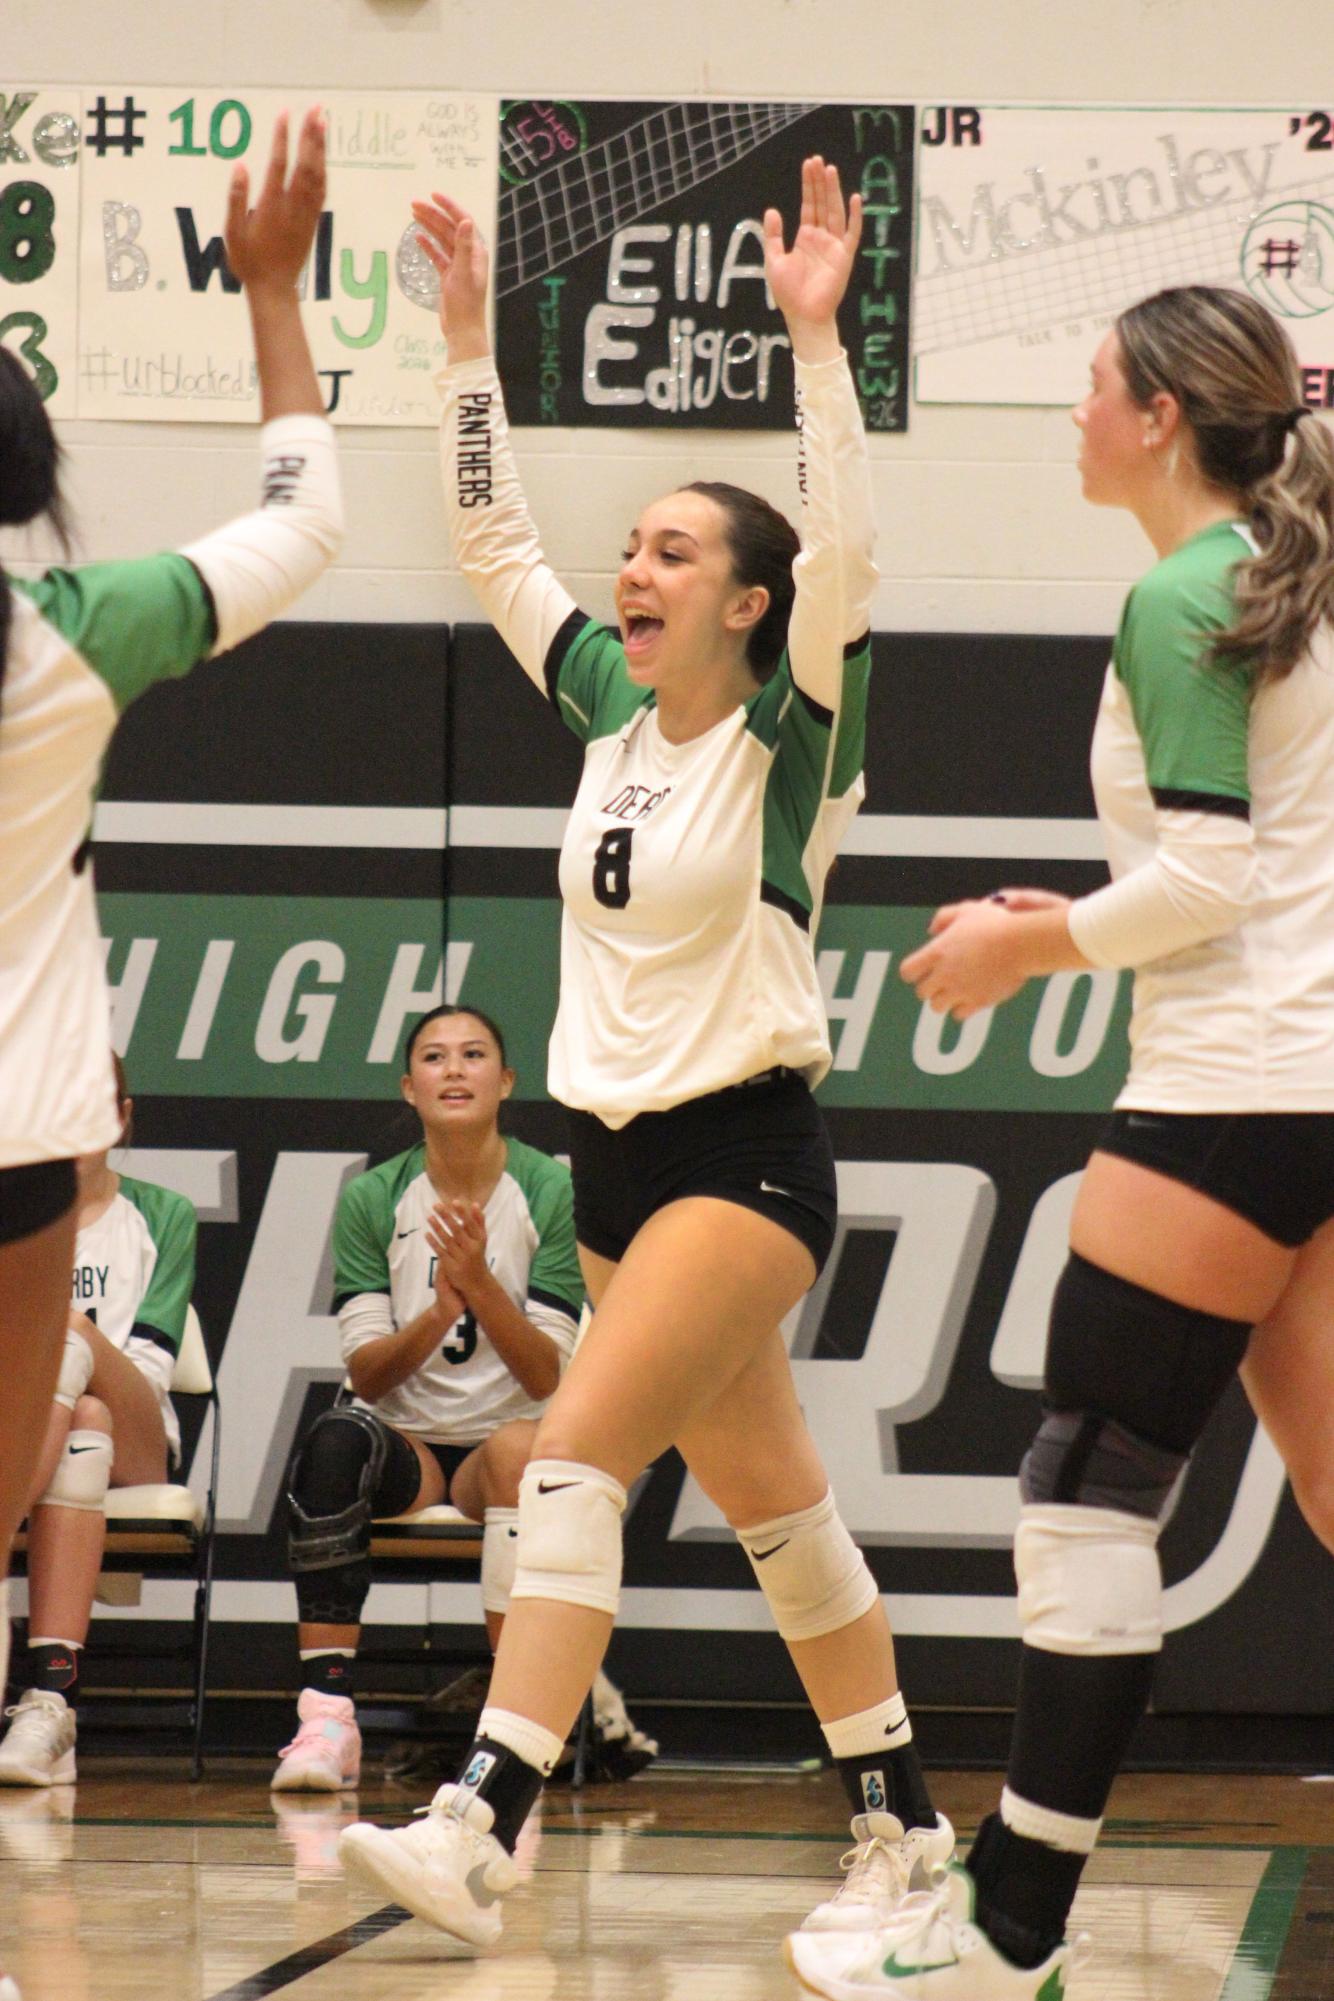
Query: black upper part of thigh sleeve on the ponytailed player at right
[1135, 1358]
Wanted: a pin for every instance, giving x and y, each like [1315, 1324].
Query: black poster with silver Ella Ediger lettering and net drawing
[631, 259]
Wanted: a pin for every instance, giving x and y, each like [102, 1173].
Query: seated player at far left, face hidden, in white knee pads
[113, 1426]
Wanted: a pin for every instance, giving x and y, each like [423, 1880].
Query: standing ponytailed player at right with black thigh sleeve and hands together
[1209, 1206]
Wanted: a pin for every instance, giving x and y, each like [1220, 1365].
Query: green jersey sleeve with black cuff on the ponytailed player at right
[1191, 711]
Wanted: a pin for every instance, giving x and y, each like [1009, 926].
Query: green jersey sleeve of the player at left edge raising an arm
[135, 623]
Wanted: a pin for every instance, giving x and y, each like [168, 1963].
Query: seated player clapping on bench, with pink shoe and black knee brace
[459, 1298]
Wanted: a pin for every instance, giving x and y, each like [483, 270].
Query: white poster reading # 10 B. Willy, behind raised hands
[163, 325]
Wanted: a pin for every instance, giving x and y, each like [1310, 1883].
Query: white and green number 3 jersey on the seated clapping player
[385, 1276]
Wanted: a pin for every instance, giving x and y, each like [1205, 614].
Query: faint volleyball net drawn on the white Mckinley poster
[1045, 287]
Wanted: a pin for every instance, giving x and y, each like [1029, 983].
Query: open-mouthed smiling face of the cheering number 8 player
[679, 603]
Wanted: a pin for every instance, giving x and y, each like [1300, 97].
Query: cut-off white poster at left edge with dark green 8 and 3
[39, 235]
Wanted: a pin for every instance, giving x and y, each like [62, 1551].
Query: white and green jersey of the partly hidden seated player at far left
[133, 1278]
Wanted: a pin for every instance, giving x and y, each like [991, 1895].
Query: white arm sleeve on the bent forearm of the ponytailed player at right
[1197, 887]
